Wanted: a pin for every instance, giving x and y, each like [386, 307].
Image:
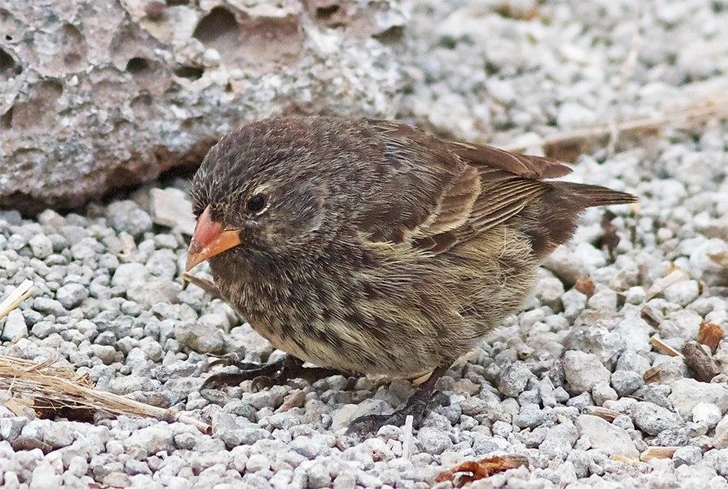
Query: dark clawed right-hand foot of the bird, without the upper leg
[418, 405]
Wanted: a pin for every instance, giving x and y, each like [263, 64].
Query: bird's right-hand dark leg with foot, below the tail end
[417, 406]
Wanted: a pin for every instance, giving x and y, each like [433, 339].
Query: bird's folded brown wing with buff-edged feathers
[444, 192]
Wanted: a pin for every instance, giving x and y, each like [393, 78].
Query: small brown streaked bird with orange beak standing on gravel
[371, 247]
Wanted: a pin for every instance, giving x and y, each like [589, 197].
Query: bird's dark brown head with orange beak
[261, 191]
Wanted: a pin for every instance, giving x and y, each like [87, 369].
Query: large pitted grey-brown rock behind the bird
[101, 94]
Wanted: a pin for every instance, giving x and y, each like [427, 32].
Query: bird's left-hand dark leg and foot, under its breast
[266, 375]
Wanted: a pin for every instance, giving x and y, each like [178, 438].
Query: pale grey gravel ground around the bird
[561, 383]
